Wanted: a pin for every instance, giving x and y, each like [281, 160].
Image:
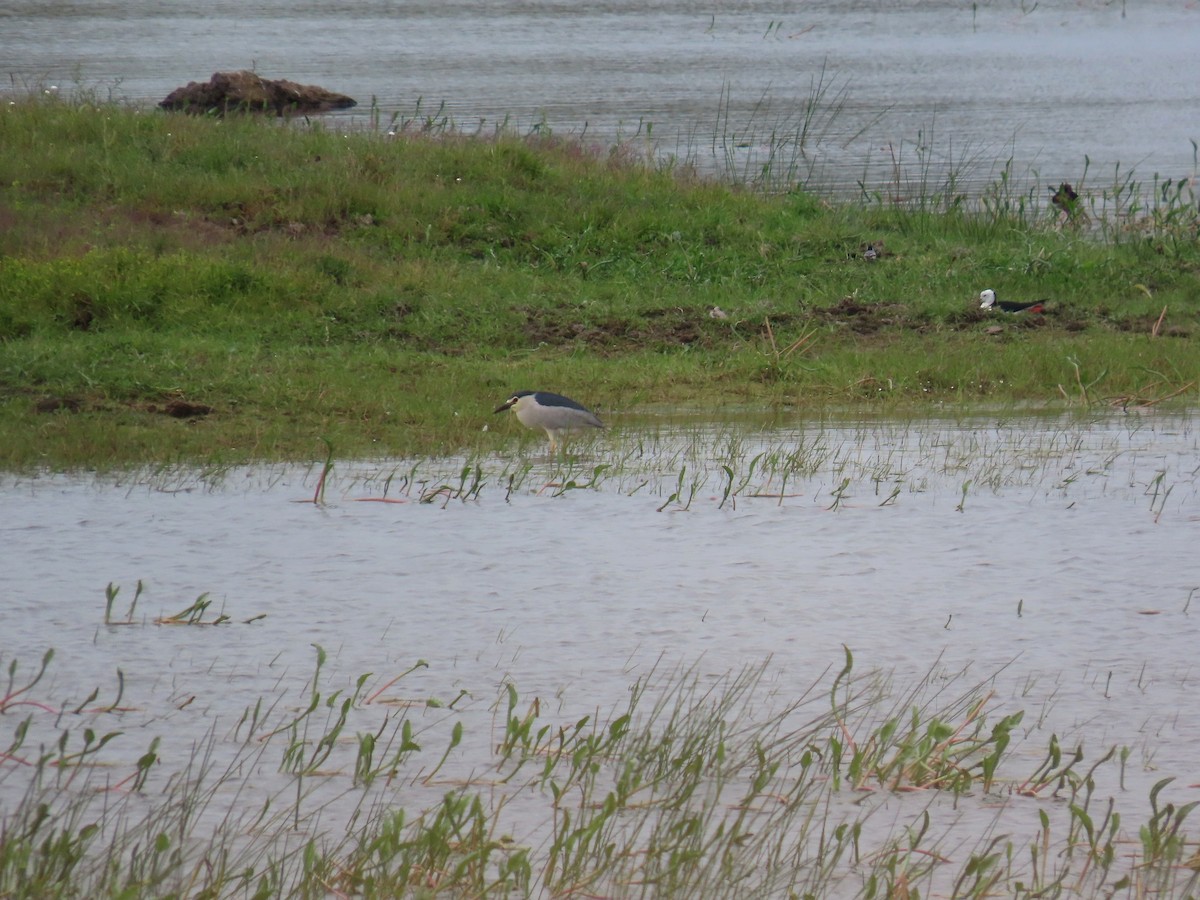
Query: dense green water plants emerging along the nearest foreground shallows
[693, 787]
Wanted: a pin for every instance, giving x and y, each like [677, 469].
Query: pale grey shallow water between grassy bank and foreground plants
[1053, 557]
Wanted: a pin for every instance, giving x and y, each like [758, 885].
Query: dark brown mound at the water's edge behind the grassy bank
[249, 93]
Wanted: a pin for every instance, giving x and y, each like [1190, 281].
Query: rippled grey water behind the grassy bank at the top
[896, 95]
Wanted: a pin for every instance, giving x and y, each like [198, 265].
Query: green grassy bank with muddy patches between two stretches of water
[191, 289]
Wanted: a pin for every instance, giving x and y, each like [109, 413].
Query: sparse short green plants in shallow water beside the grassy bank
[689, 464]
